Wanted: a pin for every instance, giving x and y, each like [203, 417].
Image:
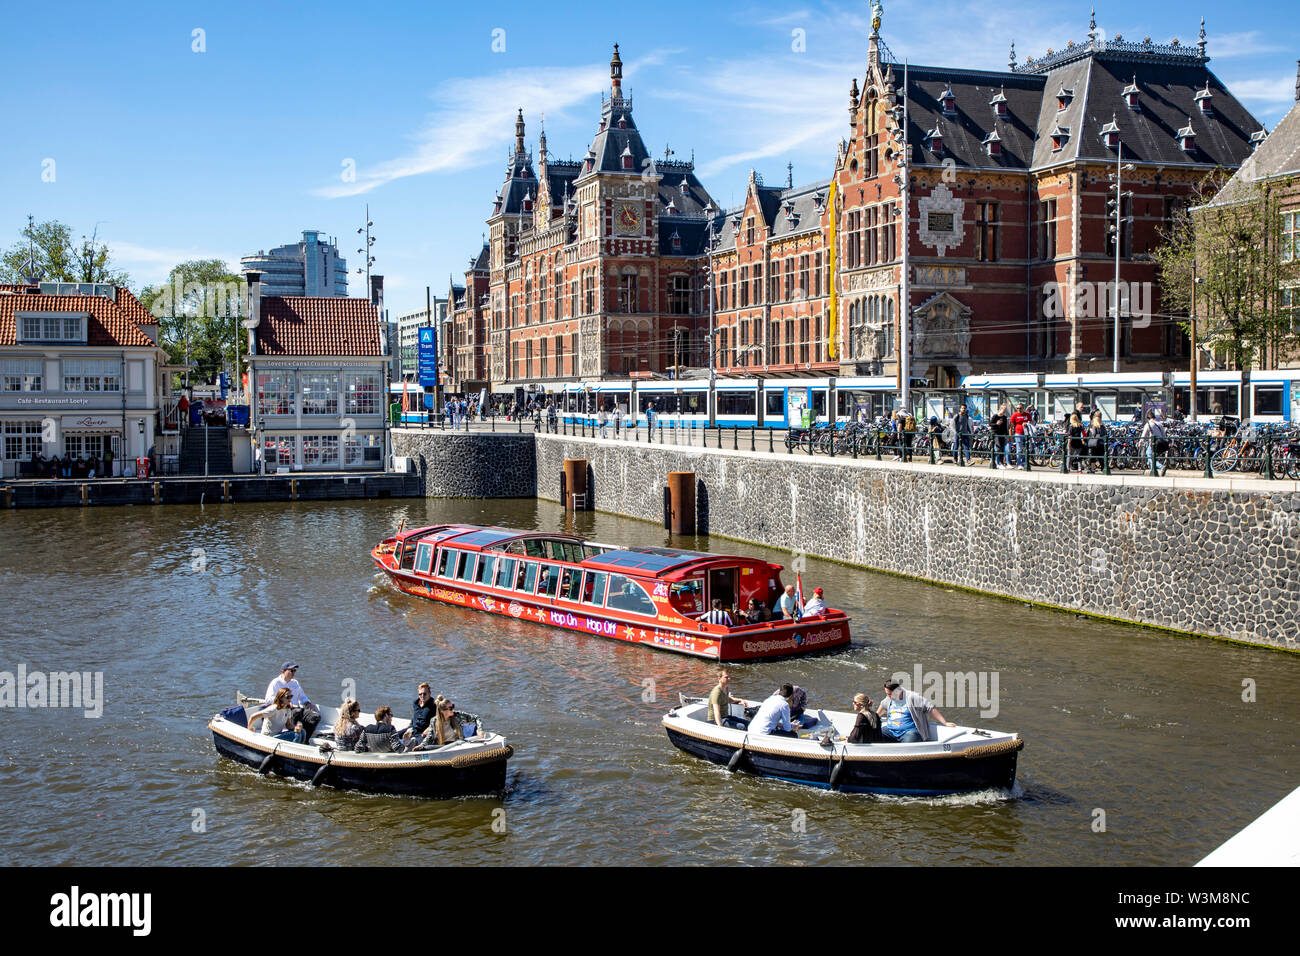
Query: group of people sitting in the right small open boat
[903, 717]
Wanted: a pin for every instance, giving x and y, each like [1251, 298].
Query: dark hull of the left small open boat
[452, 778]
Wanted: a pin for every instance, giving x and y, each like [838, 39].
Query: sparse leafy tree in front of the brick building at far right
[1229, 244]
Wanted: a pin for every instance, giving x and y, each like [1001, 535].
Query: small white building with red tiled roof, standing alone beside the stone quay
[319, 382]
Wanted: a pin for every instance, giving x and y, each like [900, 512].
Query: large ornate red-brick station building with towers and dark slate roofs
[603, 269]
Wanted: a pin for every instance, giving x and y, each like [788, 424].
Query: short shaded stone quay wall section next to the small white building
[470, 465]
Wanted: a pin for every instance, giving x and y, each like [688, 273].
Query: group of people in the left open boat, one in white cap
[289, 715]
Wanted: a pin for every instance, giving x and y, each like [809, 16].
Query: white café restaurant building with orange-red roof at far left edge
[80, 375]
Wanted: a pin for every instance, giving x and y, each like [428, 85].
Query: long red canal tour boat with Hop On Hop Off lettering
[653, 596]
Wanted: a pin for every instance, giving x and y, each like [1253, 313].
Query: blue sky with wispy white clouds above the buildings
[177, 154]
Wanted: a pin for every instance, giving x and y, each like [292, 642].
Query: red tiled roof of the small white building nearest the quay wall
[318, 326]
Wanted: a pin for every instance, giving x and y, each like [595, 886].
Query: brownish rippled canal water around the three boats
[1142, 749]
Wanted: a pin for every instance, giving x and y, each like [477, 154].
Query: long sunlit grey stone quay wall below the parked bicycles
[1211, 557]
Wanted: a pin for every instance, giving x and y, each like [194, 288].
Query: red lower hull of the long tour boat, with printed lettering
[812, 635]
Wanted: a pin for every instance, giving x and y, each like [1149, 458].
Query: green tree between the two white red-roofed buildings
[201, 312]
